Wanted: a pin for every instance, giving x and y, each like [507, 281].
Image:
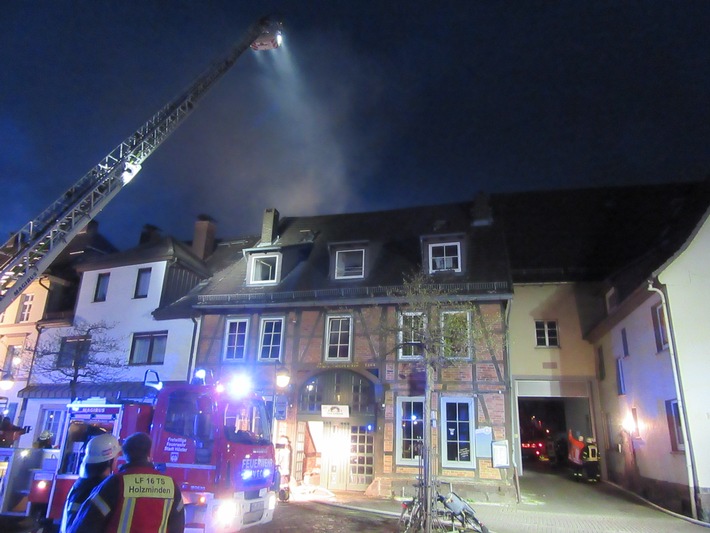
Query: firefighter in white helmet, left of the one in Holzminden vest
[96, 466]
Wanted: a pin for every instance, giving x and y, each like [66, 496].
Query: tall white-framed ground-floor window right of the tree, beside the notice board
[457, 435]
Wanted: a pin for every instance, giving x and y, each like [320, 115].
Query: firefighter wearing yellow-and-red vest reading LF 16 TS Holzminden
[138, 499]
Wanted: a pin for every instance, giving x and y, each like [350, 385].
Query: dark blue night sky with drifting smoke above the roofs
[369, 105]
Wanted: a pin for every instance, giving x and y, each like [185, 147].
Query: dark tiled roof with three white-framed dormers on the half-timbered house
[393, 249]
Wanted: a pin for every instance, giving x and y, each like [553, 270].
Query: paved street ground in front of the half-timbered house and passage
[551, 503]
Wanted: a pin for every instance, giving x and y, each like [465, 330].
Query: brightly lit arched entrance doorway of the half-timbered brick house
[336, 430]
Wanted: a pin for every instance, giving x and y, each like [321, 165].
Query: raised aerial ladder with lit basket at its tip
[32, 249]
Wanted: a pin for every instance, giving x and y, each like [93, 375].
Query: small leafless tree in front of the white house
[85, 353]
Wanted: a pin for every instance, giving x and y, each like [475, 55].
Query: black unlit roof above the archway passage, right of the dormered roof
[589, 234]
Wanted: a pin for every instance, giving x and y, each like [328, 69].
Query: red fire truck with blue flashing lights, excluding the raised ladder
[213, 439]
